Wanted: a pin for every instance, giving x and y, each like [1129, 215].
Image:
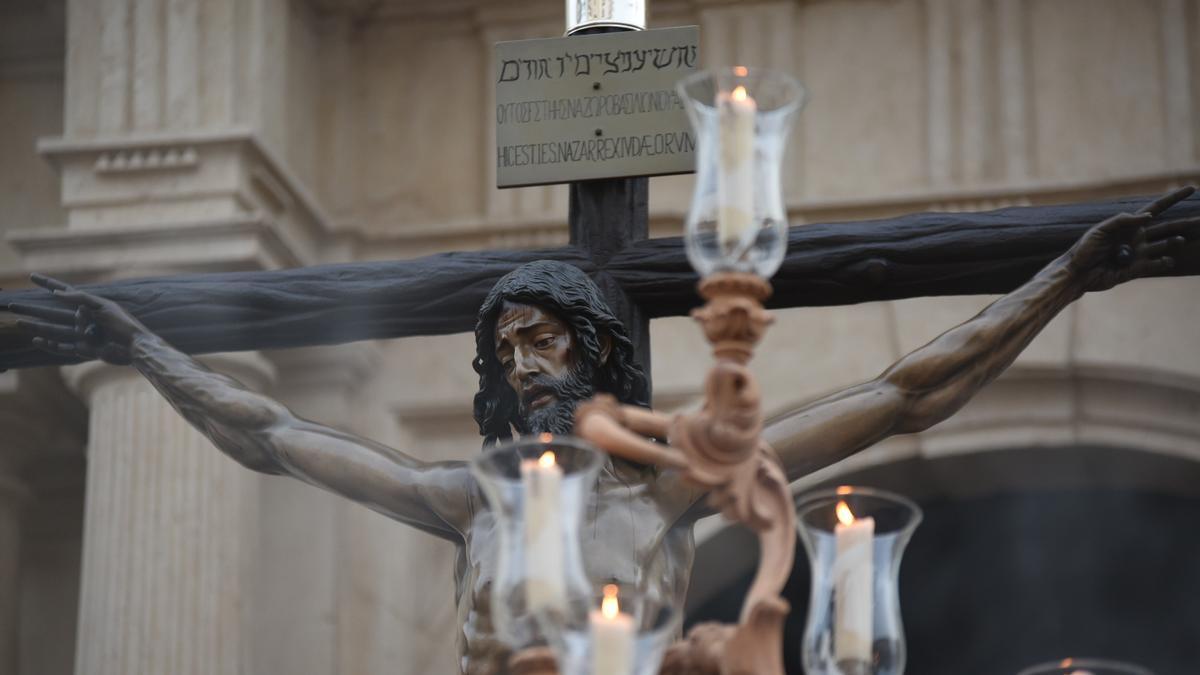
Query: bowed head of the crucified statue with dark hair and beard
[547, 342]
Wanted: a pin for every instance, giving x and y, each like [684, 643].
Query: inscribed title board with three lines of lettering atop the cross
[593, 106]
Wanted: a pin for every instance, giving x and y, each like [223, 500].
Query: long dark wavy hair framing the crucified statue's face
[574, 298]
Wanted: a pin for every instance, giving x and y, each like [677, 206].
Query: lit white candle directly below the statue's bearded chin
[545, 578]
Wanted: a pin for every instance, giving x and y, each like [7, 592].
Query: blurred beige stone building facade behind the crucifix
[146, 138]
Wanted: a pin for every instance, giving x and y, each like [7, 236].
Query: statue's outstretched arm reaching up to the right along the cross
[932, 384]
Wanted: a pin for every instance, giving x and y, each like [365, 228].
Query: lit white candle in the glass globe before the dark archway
[853, 587]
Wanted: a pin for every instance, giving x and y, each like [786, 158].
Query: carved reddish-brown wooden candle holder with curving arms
[718, 449]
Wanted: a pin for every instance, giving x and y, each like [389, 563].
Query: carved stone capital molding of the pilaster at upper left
[159, 182]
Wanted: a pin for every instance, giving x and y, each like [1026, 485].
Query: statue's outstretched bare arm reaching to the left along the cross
[253, 429]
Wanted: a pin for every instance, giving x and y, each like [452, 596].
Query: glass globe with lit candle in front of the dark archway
[855, 539]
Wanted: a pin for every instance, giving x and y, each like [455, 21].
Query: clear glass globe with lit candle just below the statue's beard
[538, 489]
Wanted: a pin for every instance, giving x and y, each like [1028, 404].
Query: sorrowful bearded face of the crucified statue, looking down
[538, 353]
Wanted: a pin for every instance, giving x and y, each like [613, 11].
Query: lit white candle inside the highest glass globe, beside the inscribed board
[735, 181]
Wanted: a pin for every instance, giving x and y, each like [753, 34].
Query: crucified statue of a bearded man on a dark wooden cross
[556, 327]
